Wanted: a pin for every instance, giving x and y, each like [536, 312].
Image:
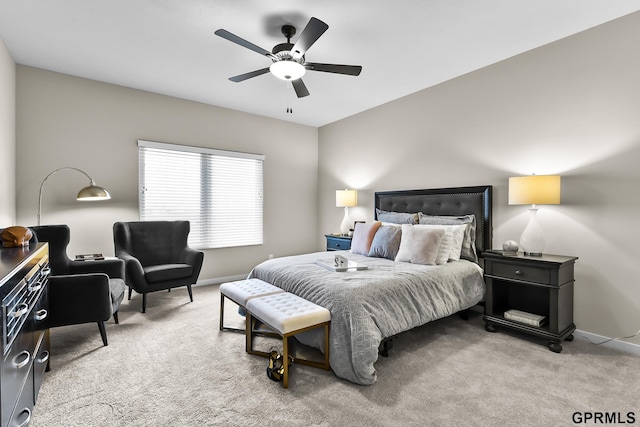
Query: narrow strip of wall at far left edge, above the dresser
[7, 137]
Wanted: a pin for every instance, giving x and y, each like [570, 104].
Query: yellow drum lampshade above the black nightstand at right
[534, 190]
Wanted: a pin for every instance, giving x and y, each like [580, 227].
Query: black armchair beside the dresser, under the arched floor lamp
[80, 291]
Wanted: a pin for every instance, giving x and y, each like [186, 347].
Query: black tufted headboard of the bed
[444, 201]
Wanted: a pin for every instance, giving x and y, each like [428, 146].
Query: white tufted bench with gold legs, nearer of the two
[287, 314]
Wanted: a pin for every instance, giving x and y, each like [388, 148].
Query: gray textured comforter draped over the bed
[369, 305]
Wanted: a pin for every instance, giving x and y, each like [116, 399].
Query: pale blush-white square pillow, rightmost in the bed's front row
[420, 245]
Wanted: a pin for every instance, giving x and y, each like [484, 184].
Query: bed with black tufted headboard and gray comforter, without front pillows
[389, 297]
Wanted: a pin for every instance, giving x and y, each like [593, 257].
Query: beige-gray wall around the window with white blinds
[69, 121]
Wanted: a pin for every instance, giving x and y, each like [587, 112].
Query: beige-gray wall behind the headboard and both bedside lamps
[570, 108]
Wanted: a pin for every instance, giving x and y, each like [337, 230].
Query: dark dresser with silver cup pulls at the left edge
[25, 334]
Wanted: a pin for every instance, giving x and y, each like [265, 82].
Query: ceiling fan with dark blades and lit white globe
[288, 59]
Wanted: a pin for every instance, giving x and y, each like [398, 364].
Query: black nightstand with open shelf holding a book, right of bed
[540, 285]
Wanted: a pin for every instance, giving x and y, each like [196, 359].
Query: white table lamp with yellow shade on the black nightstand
[534, 190]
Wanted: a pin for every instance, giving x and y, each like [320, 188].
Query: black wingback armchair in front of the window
[156, 256]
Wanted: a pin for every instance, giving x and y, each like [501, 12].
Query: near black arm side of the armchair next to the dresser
[80, 298]
